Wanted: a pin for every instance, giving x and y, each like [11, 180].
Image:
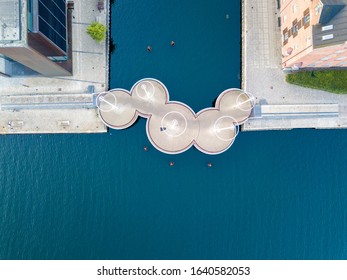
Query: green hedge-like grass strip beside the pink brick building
[329, 80]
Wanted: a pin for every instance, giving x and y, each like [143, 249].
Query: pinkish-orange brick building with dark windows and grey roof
[314, 33]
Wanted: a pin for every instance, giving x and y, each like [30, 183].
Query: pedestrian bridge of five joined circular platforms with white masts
[173, 127]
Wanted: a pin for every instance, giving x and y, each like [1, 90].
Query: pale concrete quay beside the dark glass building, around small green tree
[61, 104]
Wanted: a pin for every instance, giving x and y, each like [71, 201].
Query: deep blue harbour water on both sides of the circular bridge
[273, 195]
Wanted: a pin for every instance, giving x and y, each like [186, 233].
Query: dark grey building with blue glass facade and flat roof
[34, 38]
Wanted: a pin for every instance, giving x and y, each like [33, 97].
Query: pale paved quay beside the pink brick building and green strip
[279, 105]
